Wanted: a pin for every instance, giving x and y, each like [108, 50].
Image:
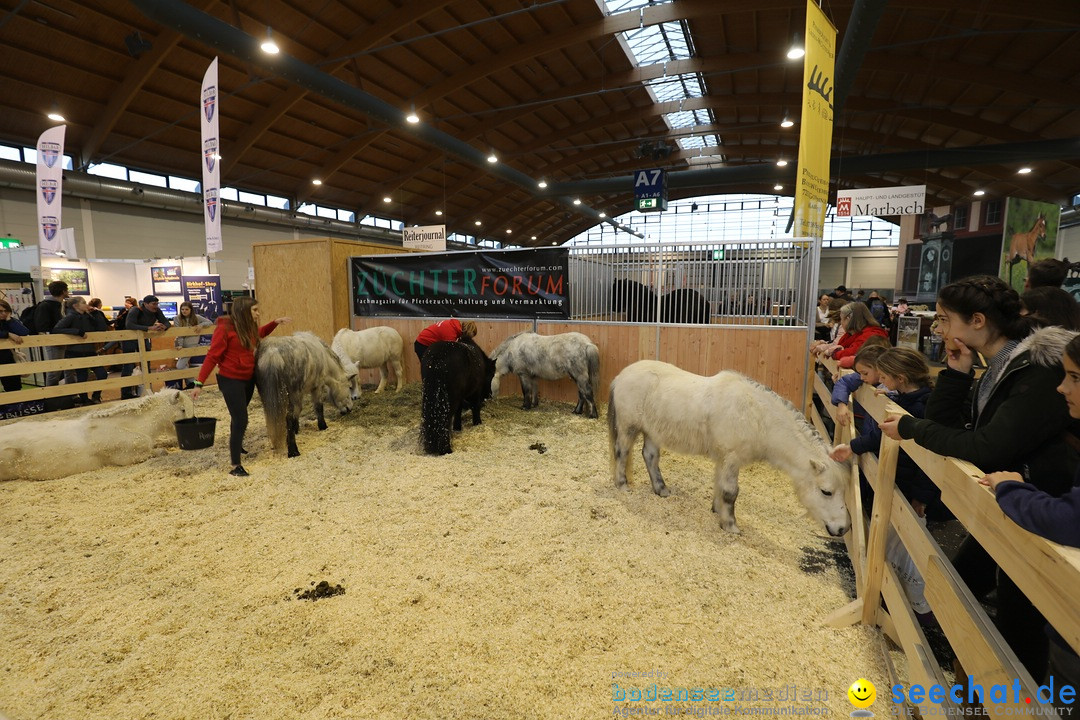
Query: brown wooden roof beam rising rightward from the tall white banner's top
[385, 28]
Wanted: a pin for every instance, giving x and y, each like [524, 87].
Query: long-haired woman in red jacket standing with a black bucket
[233, 351]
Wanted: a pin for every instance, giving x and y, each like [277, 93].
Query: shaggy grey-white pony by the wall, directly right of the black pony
[533, 357]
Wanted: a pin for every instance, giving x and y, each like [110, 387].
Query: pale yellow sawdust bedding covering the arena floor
[497, 582]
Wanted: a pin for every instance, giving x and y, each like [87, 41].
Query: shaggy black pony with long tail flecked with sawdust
[455, 374]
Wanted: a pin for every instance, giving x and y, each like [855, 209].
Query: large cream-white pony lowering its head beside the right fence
[730, 419]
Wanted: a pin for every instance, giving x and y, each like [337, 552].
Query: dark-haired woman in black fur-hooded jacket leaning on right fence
[1011, 419]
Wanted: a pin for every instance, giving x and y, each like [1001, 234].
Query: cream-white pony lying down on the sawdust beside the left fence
[120, 434]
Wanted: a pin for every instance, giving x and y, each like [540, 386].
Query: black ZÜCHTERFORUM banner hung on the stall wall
[529, 284]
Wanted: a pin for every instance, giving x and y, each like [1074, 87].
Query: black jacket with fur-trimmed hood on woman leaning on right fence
[1022, 428]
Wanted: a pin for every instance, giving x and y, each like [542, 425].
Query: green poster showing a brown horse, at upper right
[1031, 235]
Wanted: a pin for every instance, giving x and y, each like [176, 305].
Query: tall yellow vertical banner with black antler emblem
[816, 132]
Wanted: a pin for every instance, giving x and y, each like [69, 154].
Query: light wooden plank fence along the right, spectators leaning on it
[1047, 573]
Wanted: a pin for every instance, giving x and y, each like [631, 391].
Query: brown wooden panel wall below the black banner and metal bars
[775, 357]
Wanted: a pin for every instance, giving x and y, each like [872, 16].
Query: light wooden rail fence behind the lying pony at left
[146, 361]
